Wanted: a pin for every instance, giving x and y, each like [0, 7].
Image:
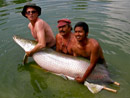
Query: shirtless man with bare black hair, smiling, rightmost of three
[86, 47]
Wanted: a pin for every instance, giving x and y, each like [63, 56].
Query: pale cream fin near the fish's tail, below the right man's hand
[94, 88]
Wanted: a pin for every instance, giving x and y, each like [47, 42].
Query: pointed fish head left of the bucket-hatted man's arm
[27, 45]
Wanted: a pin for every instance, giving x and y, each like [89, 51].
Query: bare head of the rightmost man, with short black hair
[81, 30]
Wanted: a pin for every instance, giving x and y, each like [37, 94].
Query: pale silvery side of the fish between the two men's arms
[58, 64]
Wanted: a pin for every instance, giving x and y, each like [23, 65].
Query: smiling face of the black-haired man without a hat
[79, 33]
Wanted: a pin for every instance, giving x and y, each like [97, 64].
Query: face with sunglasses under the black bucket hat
[31, 13]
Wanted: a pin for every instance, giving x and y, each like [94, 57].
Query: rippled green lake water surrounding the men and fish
[109, 23]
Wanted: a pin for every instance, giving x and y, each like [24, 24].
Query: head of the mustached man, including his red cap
[64, 26]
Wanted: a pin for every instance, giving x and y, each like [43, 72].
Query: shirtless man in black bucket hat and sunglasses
[40, 30]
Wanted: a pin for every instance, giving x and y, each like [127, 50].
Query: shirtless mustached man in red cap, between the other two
[64, 37]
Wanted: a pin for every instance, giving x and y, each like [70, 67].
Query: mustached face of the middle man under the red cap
[64, 30]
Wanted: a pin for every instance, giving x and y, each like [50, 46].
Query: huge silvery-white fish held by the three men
[63, 64]
